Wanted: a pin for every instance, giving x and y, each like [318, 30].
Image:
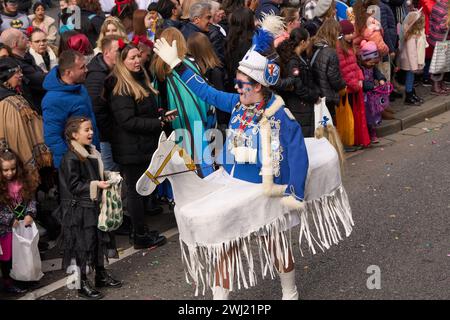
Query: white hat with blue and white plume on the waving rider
[259, 61]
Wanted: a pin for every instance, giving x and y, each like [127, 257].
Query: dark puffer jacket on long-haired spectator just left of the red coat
[327, 74]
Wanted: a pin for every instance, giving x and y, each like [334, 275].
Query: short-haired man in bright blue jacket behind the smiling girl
[66, 97]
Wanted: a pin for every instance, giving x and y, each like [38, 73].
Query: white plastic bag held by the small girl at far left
[26, 261]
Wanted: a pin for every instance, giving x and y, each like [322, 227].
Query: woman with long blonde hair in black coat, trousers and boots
[138, 122]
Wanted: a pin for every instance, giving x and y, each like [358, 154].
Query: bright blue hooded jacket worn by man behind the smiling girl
[61, 102]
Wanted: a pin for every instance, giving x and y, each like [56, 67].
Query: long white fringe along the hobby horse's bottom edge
[326, 216]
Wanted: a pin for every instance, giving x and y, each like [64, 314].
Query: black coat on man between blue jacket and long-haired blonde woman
[98, 71]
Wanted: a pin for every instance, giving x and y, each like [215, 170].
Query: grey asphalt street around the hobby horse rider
[400, 197]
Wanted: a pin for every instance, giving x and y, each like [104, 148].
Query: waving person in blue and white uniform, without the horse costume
[264, 141]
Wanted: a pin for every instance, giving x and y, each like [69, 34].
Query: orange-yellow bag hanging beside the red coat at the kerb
[345, 124]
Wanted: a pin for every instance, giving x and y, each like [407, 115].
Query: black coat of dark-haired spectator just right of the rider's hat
[299, 93]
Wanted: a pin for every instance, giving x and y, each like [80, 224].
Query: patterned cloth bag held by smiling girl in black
[111, 209]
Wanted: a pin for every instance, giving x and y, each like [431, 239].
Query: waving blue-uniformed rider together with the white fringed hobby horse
[271, 180]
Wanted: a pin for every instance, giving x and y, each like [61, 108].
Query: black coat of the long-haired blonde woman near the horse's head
[136, 126]
